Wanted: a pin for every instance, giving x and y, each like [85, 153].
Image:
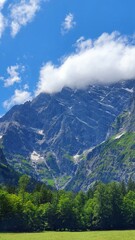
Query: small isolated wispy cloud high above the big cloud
[68, 23]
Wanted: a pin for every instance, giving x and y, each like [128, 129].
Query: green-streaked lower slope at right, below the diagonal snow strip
[113, 160]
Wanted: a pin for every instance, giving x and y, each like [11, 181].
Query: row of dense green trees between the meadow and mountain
[104, 207]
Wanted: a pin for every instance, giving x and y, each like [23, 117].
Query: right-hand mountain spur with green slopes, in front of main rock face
[112, 160]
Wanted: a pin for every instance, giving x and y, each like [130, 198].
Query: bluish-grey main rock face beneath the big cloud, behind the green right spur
[45, 137]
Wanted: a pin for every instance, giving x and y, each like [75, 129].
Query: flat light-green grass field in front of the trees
[110, 235]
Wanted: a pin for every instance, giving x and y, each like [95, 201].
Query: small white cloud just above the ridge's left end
[19, 97]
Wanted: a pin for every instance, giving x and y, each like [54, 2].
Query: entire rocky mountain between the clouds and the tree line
[73, 138]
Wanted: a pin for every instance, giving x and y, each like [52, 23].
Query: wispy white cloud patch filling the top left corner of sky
[21, 12]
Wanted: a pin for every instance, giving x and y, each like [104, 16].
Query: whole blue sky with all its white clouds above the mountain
[46, 45]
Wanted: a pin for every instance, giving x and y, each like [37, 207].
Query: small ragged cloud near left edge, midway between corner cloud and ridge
[14, 75]
